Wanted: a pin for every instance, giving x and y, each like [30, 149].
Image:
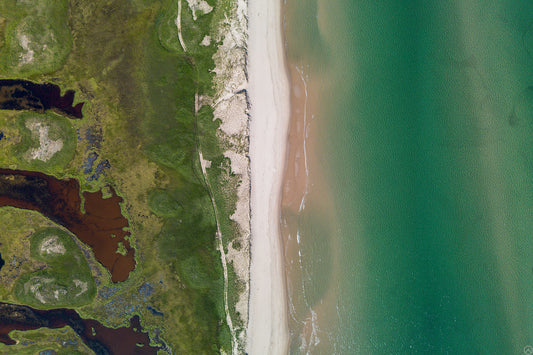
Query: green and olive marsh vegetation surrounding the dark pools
[124, 60]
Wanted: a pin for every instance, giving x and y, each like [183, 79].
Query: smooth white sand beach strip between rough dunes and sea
[270, 106]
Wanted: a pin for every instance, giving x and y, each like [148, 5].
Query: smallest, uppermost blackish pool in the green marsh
[25, 95]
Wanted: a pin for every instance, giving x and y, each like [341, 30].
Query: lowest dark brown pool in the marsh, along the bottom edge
[100, 339]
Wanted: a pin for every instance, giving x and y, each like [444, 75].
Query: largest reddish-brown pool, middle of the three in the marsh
[101, 226]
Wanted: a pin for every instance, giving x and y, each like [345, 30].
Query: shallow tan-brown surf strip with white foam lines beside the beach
[309, 223]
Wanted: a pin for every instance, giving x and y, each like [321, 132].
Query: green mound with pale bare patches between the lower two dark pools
[66, 280]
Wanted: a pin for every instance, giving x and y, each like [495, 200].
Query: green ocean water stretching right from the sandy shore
[423, 141]
